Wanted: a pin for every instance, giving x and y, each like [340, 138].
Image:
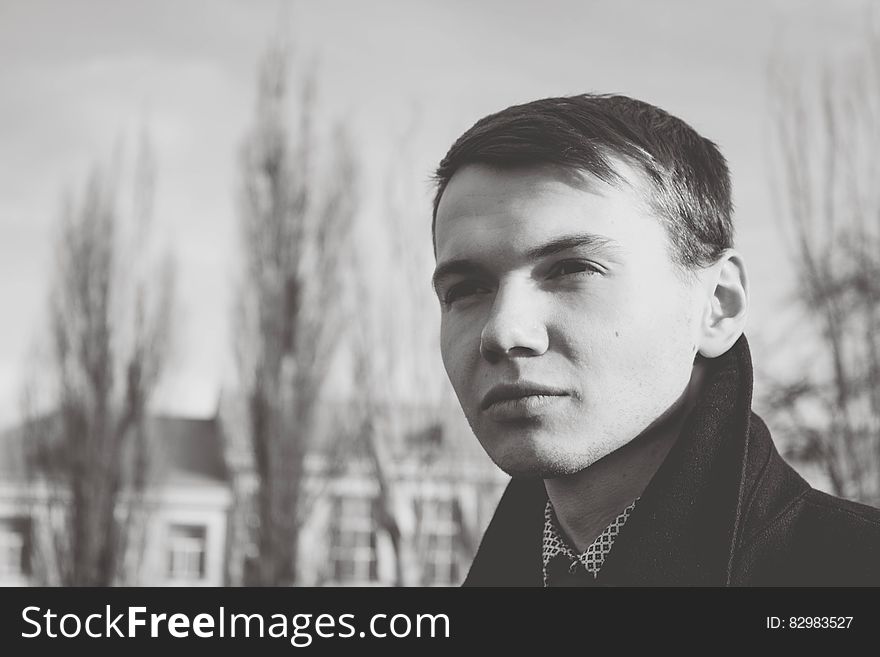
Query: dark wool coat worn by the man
[724, 509]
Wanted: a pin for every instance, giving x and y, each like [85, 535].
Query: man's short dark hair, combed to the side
[689, 184]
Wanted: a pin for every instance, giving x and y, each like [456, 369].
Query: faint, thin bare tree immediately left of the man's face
[398, 374]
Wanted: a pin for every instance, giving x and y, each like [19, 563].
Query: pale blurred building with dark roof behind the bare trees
[197, 511]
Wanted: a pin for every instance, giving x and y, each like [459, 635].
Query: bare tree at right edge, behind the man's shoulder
[827, 128]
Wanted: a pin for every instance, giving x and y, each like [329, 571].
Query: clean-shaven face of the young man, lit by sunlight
[566, 329]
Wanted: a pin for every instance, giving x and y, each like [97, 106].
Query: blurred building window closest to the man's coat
[440, 531]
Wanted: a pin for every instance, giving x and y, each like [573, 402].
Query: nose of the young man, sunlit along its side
[514, 326]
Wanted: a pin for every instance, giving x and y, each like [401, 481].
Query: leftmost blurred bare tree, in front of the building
[110, 320]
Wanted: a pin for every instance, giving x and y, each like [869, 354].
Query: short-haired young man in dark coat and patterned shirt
[593, 310]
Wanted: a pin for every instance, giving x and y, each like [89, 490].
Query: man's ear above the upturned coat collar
[724, 316]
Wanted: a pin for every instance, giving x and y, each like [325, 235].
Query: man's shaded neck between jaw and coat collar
[587, 501]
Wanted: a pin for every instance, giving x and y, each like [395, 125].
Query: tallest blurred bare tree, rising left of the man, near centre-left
[298, 200]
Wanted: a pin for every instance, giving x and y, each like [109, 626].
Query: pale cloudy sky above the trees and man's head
[81, 79]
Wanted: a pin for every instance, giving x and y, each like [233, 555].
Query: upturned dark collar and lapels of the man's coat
[690, 519]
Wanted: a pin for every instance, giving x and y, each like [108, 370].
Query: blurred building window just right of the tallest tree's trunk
[353, 541]
